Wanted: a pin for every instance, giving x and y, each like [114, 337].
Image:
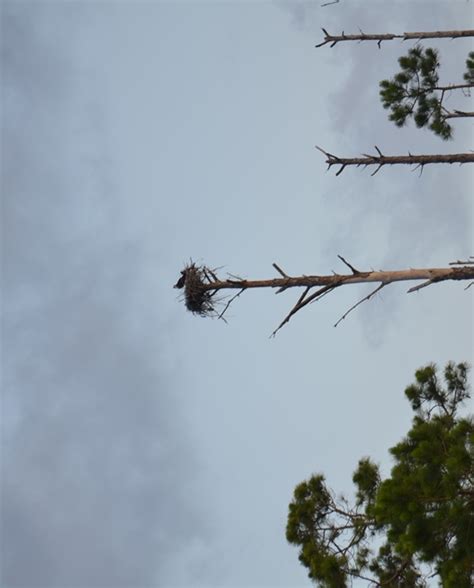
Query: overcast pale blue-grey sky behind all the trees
[143, 446]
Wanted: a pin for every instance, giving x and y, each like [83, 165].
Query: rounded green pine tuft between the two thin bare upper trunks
[413, 92]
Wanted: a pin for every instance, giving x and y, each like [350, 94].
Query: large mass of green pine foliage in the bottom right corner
[421, 517]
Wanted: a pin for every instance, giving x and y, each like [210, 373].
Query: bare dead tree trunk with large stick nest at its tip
[201, 285]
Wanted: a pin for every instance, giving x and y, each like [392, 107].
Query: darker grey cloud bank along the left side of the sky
[97, 467]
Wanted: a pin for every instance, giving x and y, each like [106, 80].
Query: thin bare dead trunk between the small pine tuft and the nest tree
[380, 160]
